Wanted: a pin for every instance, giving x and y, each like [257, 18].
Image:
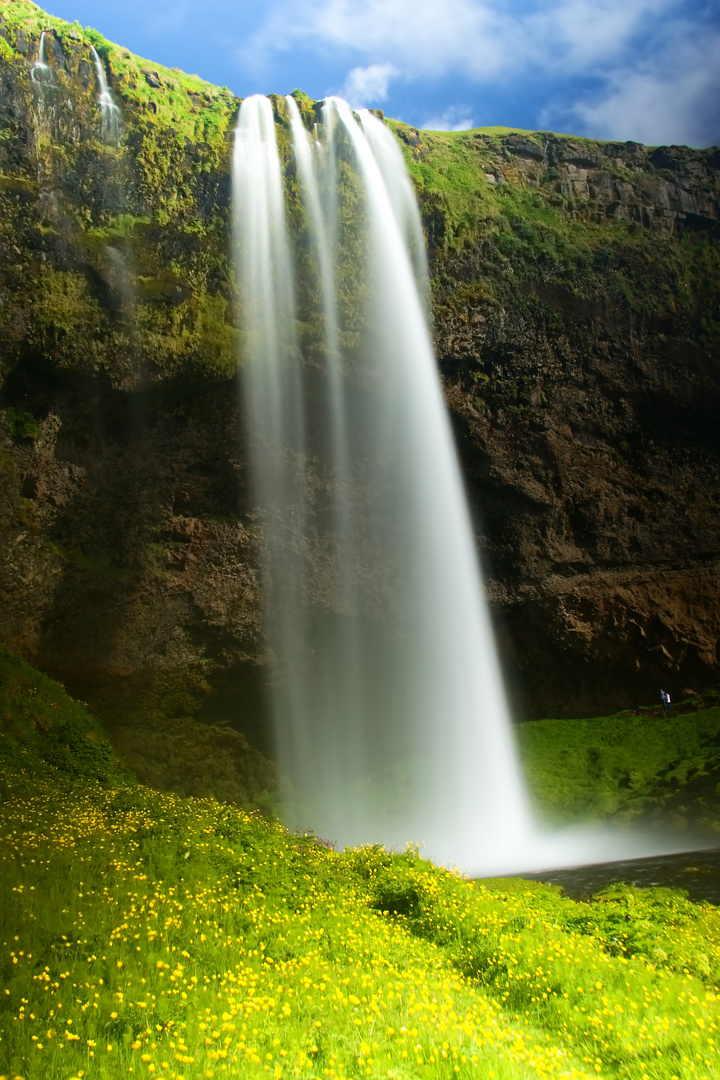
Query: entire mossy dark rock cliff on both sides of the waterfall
[576, 306]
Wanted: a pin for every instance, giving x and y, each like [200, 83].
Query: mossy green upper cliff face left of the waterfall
[116, 249]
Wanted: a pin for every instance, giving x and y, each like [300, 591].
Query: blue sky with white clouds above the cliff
[647, 71]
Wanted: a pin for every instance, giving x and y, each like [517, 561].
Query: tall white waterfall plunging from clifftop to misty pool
[391, 720]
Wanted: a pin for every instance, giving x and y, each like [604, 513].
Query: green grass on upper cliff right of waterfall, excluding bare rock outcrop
[476, 198]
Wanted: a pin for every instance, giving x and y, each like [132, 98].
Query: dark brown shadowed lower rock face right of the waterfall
[599, 507]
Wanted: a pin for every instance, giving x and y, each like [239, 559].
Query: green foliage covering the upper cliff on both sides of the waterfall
[118, 251]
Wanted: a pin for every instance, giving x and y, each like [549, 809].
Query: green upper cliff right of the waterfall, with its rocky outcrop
[601, 221]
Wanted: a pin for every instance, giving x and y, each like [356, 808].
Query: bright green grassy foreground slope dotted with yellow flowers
[147, 935]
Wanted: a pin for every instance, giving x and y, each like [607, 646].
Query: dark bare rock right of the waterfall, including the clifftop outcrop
[590, 435]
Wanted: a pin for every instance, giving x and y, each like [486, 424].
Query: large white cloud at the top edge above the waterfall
[483, 39]
